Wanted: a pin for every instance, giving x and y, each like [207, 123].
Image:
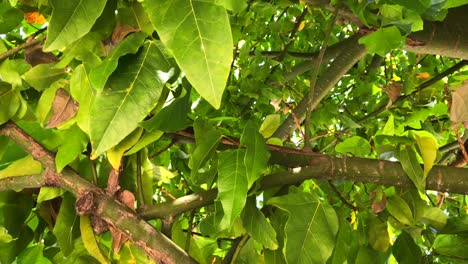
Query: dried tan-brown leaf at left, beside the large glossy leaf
[64, 107]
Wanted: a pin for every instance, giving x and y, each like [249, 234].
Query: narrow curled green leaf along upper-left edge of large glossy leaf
[98, 75]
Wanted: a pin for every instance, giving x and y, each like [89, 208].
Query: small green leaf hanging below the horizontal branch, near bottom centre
[258, 227]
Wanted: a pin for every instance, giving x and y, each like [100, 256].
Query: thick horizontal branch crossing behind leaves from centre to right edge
[322, 167]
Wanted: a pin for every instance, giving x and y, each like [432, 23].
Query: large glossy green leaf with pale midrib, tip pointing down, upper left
[134, 90]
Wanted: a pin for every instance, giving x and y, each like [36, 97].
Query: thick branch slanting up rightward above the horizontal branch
[339, 67]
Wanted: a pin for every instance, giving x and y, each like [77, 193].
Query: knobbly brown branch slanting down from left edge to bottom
[155, 244]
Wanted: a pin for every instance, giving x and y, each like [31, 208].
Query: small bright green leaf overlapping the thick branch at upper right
[383, 40]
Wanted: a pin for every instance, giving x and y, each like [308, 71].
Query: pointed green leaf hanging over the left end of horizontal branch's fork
[256, 155]
